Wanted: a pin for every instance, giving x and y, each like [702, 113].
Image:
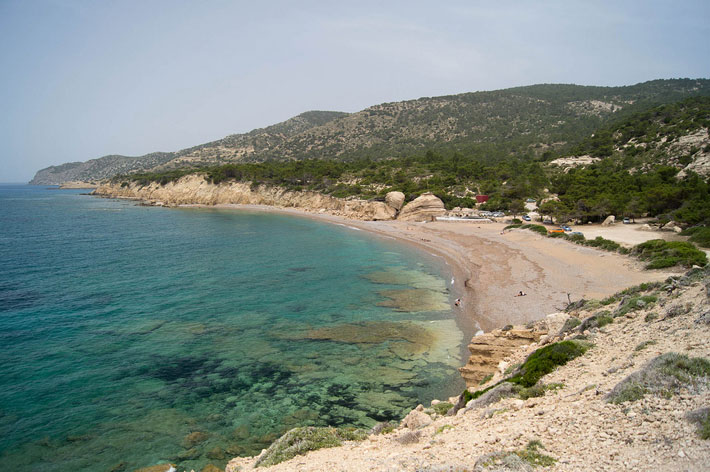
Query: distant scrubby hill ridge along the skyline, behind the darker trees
[487, 126]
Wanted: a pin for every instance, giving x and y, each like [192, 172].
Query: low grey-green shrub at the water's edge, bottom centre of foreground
[301, 440]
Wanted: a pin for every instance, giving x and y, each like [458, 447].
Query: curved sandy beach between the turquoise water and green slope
[489, 268]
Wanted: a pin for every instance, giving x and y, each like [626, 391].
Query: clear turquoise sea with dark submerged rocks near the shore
[136, 335]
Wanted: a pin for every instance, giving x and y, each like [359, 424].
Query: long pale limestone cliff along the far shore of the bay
[195, 190]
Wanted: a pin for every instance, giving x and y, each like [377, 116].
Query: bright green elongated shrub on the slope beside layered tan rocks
[546, 359]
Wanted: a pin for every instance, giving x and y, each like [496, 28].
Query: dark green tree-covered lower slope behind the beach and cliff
[622, 182]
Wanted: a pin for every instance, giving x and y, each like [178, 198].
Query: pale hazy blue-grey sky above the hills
[80, 79]
